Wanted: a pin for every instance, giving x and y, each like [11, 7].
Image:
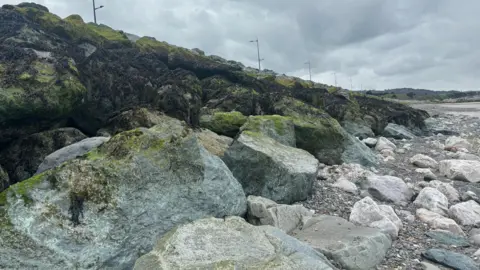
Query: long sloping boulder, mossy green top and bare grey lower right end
[321, 135]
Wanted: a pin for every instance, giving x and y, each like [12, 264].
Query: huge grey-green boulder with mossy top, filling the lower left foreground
[106, 209]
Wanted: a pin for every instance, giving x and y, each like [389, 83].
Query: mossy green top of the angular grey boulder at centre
[279, 128]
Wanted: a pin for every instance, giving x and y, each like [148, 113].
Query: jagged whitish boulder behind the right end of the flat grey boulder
[367, 213]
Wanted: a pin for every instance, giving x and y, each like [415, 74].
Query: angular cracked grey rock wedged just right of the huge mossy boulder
[262, 211]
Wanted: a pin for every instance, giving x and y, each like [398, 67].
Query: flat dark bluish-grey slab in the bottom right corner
[451, 259]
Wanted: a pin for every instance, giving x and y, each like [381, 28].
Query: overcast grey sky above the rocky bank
[380, 44]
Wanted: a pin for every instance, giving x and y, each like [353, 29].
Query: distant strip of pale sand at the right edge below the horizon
[469, 108]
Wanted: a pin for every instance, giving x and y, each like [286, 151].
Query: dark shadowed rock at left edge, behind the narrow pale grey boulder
[22, 157]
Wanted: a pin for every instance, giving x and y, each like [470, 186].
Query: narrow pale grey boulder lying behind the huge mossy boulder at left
[70, 152]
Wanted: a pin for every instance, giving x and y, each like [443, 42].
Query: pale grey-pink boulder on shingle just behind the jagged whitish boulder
[388, 189]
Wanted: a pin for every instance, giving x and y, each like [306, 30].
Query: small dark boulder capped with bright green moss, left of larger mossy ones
[224, 123]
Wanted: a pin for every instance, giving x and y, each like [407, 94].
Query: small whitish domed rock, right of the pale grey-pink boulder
[433, 200]
